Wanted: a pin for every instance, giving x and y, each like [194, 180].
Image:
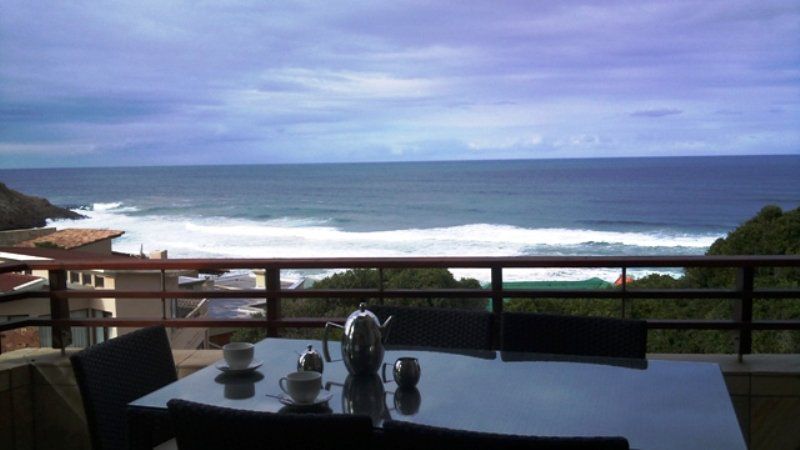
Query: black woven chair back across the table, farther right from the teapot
[572, 335]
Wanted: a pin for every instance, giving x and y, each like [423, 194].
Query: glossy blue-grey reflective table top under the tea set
[654, 404]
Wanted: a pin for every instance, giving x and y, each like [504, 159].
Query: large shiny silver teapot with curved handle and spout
[362, 341]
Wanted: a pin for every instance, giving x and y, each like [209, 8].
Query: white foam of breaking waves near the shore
[294, 238]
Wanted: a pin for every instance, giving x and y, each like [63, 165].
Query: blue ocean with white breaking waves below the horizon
[621, 206]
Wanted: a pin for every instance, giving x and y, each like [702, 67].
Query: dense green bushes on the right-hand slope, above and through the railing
[770, 232]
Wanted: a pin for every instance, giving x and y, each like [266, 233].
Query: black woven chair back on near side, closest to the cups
[205, 427]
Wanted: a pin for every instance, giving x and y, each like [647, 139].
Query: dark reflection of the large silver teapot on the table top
[364, 395]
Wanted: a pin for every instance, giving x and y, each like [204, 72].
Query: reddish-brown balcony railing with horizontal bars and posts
[743, 294]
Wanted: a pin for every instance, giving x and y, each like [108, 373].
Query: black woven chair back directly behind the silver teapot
[436, 327]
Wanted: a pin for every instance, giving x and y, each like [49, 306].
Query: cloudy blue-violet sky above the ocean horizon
[162, 83]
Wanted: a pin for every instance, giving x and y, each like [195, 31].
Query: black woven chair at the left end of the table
[111, 375]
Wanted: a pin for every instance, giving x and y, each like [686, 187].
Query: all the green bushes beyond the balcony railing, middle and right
[771, 232]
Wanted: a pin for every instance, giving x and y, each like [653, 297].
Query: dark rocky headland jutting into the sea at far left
[18, 210]
